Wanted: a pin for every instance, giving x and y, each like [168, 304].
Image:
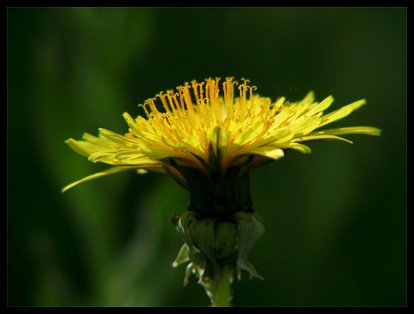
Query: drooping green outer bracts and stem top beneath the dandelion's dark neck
[217, 248]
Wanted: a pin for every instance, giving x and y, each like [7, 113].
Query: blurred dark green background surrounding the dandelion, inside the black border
[335, 220]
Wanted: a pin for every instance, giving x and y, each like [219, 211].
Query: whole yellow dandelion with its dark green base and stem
[208, 136]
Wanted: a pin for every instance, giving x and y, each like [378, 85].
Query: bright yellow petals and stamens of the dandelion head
[197, 120]
